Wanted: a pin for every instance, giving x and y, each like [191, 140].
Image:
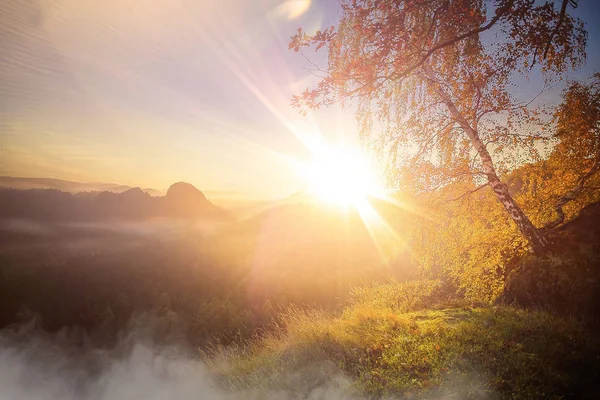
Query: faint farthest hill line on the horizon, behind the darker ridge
[67, 186]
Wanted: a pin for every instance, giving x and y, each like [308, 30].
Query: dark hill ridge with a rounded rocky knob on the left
[181, 201]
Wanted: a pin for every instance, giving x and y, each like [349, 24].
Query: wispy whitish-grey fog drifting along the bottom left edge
[40, 366]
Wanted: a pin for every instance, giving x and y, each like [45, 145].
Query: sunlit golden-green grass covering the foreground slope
[401, 348]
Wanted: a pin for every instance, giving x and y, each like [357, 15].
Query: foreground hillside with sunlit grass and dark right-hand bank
[411, 340]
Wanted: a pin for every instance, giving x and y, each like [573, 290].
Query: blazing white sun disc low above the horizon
[342, 176]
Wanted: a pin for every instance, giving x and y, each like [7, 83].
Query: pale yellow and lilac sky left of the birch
[152, 92]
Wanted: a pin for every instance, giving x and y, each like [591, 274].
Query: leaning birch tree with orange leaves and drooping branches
[434, 83]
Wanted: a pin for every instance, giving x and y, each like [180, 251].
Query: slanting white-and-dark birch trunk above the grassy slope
[537, 240]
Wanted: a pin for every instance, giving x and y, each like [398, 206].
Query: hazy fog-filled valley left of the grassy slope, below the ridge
[124, 304]
